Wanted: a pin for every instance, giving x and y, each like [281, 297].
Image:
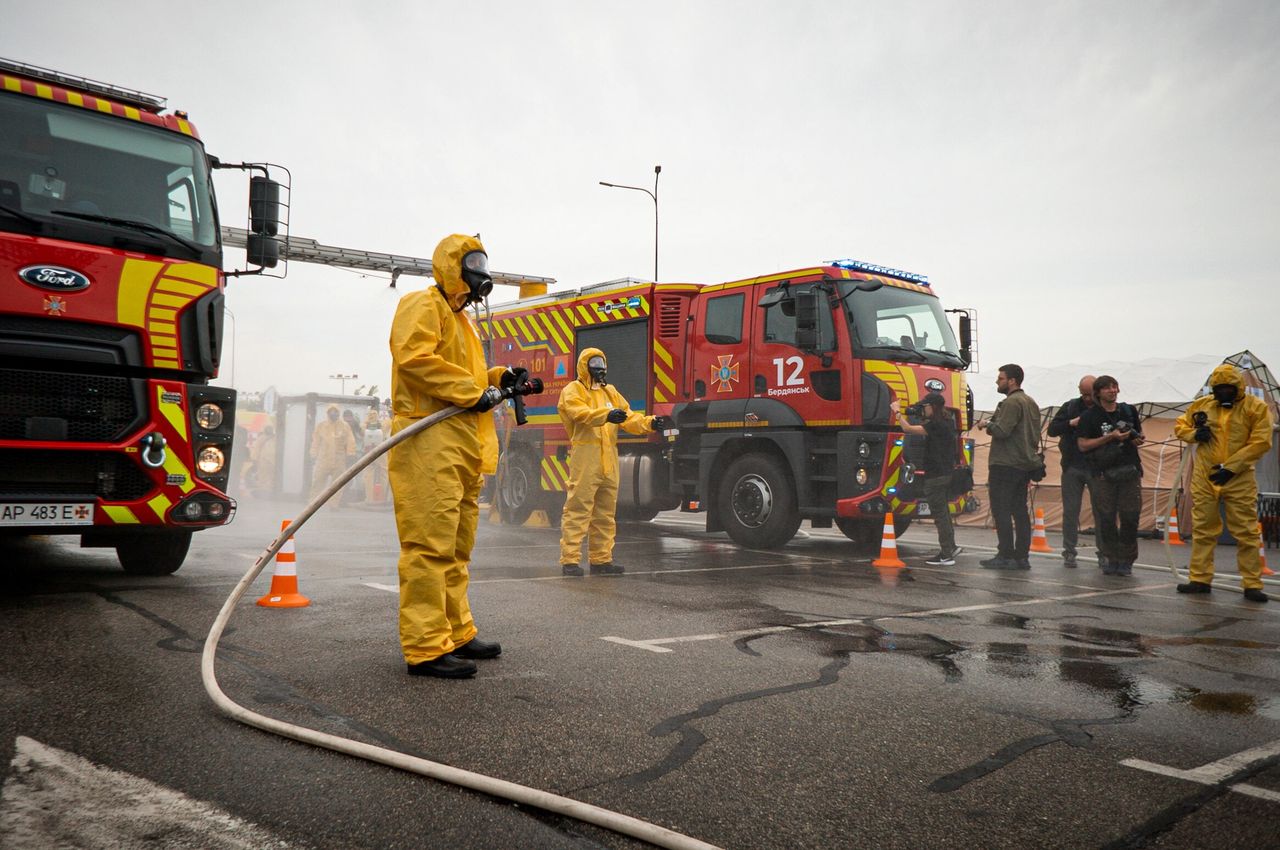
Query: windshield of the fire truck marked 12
[899, 325]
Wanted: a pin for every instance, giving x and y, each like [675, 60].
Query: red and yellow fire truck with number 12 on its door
[780, 389]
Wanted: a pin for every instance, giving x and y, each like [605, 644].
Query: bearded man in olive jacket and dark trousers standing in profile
[1014, 431]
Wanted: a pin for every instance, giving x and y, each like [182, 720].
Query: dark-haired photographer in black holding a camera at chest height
[1110, 435]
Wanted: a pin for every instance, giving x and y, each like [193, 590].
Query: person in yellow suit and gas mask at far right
[1232, 431]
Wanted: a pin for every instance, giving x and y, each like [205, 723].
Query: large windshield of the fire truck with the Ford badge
[71, 173]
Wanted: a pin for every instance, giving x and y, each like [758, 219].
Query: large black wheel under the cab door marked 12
[757, 504]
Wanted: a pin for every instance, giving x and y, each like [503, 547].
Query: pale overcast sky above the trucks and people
[1099, 180]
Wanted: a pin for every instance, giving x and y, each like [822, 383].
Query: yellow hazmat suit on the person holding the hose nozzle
[437, 362]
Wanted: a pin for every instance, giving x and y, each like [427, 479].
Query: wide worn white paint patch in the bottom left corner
[58, 799]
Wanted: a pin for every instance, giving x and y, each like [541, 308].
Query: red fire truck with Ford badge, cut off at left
[112, 318]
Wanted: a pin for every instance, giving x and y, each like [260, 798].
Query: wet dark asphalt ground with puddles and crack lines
[751, 700]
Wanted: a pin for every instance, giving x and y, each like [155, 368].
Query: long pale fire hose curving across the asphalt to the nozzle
[621, 824]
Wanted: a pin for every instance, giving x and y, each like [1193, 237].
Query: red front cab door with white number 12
[796, 358]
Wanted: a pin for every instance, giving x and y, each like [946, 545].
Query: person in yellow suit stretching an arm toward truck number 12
[592, 413]
